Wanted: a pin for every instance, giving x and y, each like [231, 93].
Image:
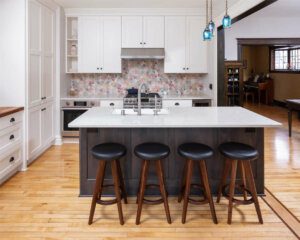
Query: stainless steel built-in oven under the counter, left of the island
[72, 109]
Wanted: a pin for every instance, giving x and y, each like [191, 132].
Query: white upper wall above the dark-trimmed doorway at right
[264, 24]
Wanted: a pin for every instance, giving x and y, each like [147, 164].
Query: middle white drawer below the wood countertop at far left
[9, 136]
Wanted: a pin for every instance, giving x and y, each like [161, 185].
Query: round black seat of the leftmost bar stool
[108, 151]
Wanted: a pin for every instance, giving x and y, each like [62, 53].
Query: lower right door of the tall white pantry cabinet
[47, 123]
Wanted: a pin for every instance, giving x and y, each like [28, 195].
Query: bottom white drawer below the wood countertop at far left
[10, 159]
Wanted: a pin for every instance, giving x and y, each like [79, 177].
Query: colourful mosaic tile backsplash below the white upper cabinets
[134, 73]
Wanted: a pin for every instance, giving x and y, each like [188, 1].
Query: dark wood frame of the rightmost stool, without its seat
[247, 176]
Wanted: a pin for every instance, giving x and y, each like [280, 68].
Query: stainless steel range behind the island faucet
[148, 100]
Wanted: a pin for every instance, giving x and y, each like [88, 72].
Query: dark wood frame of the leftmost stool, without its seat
[119, 187]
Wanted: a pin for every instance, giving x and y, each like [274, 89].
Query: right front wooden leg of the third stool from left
[203, 173]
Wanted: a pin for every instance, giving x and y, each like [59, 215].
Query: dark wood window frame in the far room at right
[272, 60]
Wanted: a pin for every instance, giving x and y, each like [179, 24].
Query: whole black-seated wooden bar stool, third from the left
[195, 153]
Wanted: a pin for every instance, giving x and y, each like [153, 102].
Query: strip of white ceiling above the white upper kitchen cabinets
[219, 5]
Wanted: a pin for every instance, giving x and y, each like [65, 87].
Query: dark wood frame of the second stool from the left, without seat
[143, 185]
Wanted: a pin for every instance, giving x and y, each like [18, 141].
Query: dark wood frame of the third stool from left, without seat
[186, 188]
